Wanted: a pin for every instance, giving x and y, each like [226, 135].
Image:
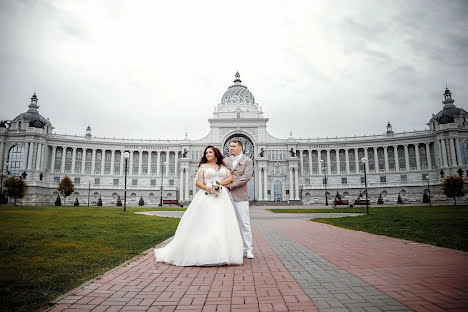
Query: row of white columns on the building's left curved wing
[112, 162]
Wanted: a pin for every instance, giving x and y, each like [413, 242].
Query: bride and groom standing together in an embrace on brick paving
[208, 233]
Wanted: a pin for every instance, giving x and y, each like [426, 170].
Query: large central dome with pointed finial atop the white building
[237, 97]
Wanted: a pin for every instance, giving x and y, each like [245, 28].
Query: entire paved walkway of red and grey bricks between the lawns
[299, 265]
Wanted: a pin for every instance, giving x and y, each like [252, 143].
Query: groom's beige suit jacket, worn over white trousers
[241, 174]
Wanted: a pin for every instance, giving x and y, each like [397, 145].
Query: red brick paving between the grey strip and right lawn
[423, 277]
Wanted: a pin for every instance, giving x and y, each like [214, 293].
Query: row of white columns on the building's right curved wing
[376, 162]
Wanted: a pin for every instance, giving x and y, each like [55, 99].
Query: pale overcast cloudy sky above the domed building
[157, 69]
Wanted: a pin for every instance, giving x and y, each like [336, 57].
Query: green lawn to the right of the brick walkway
[444, 226]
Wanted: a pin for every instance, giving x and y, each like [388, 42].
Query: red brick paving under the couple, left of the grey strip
[261, 284]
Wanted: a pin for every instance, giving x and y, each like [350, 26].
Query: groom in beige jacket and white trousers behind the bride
[241, 168]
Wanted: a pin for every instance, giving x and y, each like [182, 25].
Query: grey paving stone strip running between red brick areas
[329, 287]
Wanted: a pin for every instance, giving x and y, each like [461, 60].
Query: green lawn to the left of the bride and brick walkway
[46, 251]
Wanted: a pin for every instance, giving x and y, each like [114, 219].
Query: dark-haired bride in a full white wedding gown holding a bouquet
[208, 233]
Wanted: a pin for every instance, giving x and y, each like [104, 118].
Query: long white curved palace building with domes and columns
[285, 169]
